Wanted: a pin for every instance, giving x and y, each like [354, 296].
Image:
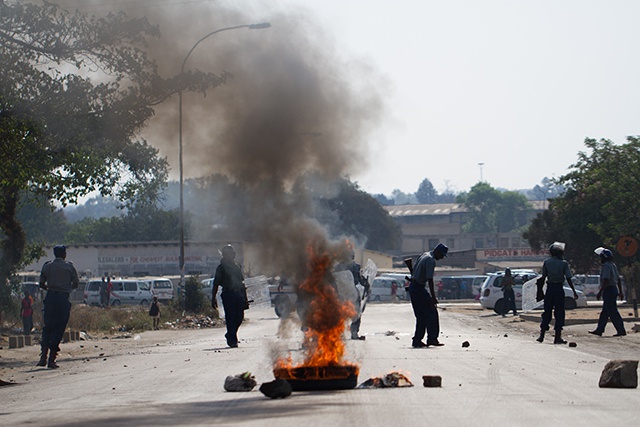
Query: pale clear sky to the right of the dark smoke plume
[516, 85]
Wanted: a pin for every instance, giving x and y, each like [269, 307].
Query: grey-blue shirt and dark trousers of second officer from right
[556, 270]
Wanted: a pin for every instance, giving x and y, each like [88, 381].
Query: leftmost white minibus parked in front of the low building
[124, 291]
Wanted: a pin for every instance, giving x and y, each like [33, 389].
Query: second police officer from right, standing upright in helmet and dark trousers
[555, 270]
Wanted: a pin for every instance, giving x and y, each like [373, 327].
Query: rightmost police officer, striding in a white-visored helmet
[610, 288]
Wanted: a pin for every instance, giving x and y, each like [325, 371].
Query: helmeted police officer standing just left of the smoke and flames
[234, 293]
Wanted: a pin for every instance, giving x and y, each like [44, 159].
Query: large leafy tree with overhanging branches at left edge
[75, 91]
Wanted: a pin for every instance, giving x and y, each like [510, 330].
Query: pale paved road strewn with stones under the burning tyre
[176, 377]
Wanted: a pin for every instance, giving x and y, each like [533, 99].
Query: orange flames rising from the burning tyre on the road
[325, 320]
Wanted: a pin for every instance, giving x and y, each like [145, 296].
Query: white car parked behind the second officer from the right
[492, 296]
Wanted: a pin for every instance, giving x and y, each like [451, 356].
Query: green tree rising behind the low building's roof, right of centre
[492, 210]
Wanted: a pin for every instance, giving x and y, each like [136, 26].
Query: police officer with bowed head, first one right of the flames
[424, 301]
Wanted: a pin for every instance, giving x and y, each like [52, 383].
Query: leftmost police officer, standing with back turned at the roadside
[58, 278]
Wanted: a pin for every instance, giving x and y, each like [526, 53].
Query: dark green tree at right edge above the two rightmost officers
[600, 203]
